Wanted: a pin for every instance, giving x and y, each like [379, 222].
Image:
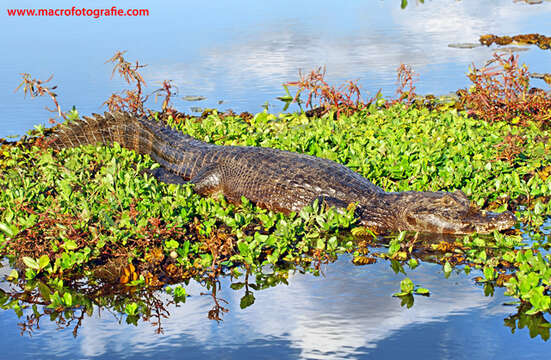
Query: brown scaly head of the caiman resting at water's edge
[445, 213]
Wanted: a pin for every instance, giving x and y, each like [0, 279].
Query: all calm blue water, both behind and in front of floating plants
[241, 54]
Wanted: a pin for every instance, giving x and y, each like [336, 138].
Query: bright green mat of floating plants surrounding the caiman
[80, 221]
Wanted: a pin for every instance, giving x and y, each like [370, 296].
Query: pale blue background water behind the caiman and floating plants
[243, 54]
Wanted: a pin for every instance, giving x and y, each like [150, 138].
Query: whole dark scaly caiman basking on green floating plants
[280, 180]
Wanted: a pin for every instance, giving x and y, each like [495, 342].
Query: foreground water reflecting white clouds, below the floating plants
[349, 312]
